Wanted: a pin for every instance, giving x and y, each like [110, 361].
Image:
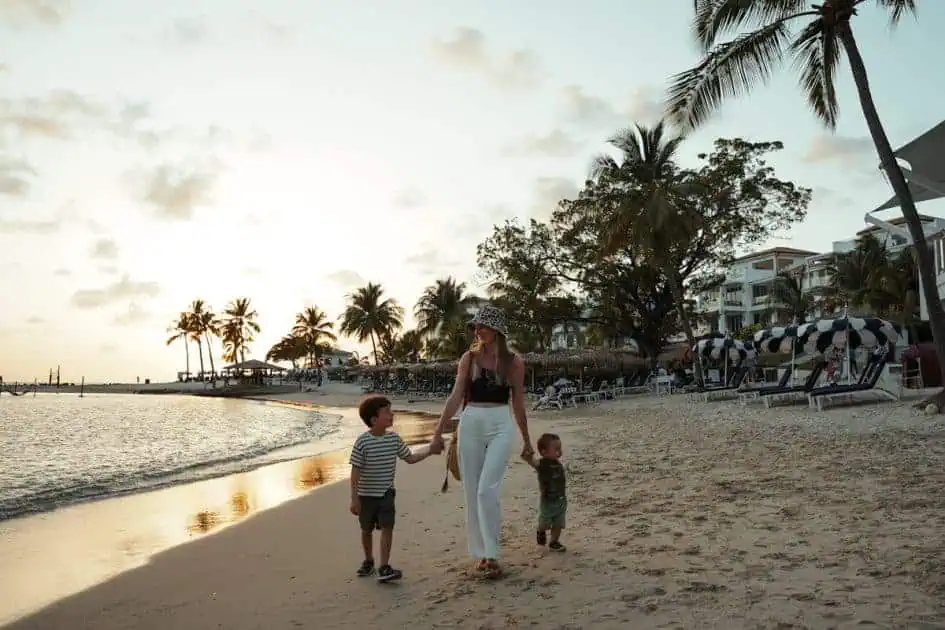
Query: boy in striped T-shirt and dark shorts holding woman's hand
[373, 464]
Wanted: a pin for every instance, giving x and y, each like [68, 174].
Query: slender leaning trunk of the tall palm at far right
[887, 158]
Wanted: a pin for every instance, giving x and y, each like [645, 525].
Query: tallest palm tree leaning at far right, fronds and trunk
[734, 67]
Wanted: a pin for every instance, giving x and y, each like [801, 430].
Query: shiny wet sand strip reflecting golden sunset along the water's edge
[205, 512]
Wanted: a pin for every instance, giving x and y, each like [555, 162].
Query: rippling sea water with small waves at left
[57, 449]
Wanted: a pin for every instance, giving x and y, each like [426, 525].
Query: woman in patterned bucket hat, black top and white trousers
[490, 379]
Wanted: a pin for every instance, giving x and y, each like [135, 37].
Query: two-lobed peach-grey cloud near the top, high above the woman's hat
[467, 51]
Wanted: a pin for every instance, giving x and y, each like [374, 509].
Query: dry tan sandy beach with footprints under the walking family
[715, 516]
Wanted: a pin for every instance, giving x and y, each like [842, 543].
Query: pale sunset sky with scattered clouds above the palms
[154, 153]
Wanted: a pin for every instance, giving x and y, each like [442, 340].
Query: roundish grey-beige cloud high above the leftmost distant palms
[176, 192]
